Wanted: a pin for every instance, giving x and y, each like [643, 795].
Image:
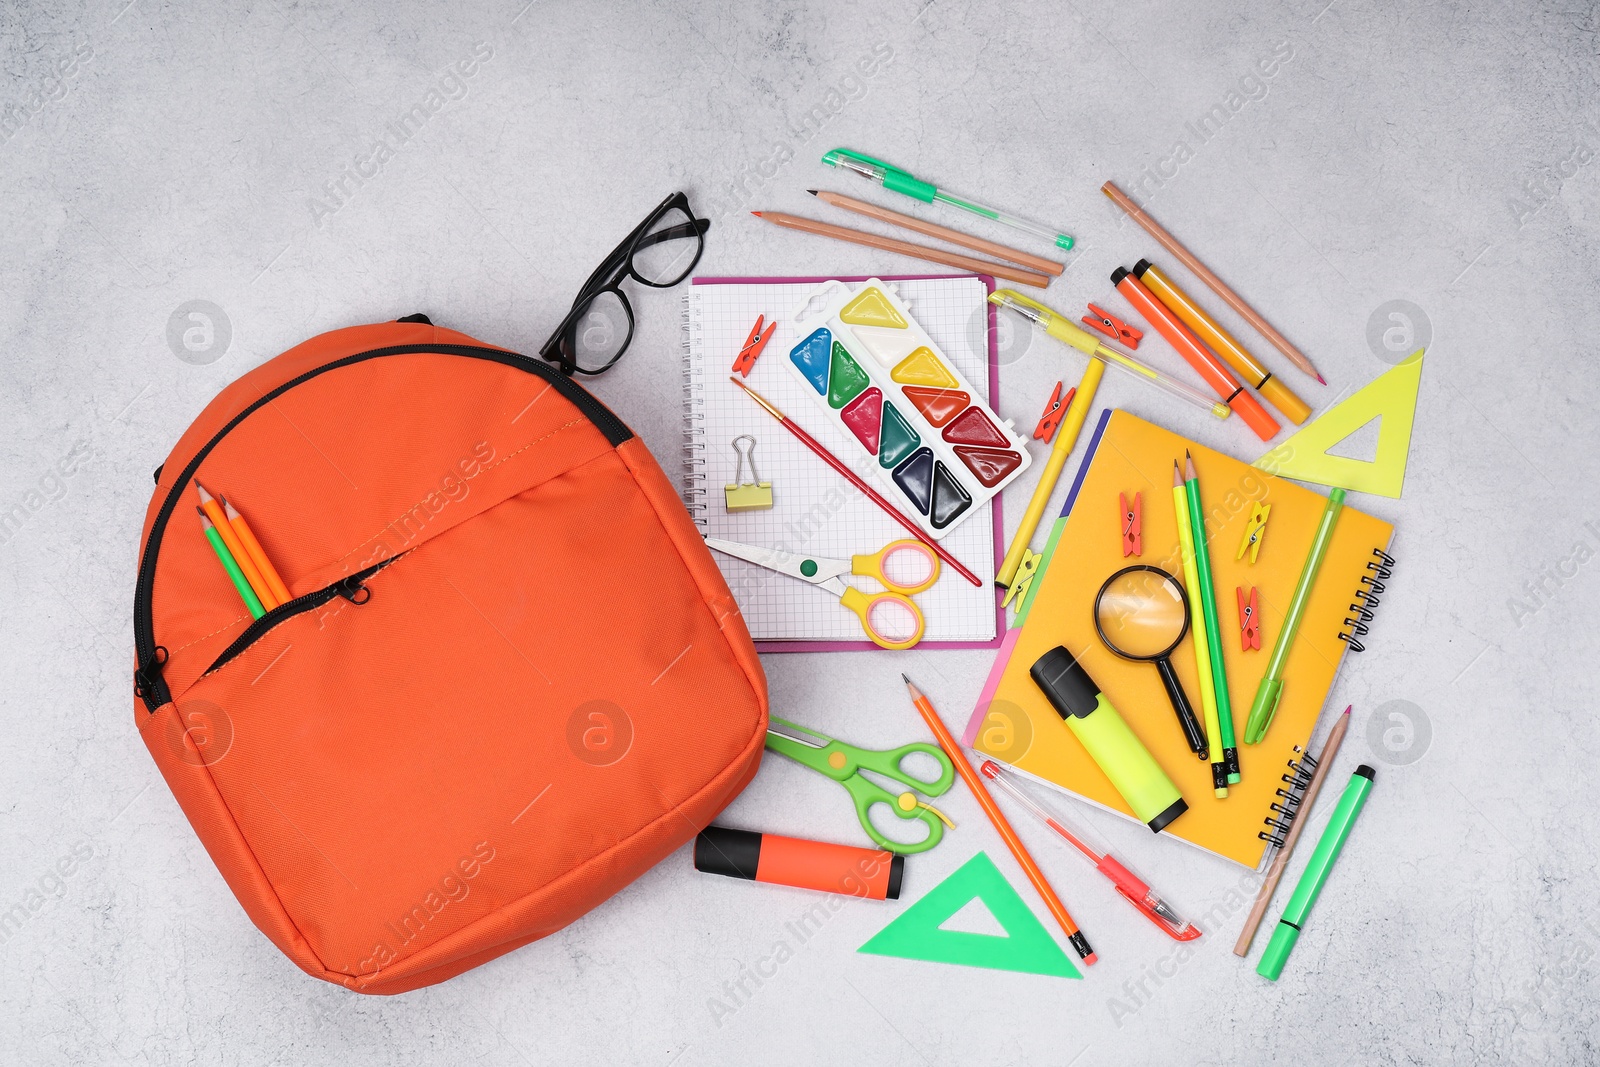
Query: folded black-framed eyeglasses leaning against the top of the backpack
[658, 254]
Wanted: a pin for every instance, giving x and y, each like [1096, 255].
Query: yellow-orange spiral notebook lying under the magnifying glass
[1017, 725]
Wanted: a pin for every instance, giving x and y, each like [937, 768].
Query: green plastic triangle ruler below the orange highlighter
[1026, 946]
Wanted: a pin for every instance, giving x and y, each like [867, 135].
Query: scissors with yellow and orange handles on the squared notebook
[889, 618]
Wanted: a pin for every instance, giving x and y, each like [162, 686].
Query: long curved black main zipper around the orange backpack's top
[145, 639]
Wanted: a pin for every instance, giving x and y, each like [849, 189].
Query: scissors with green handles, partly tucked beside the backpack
[846, 764]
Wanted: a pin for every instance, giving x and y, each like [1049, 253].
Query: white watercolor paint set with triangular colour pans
[940, 447]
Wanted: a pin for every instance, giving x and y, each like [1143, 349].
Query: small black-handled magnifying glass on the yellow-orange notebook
[1142, 613]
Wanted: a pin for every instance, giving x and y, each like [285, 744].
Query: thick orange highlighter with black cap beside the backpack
[790, 861]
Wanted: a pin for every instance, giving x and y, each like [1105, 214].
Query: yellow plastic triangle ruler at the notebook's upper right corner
[1391, 398]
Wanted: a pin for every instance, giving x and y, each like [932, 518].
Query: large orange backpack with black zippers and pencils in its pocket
[510, 679]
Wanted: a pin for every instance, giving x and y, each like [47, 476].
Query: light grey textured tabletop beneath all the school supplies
[1436, 154]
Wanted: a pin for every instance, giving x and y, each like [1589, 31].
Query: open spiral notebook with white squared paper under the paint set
[815, 511]
